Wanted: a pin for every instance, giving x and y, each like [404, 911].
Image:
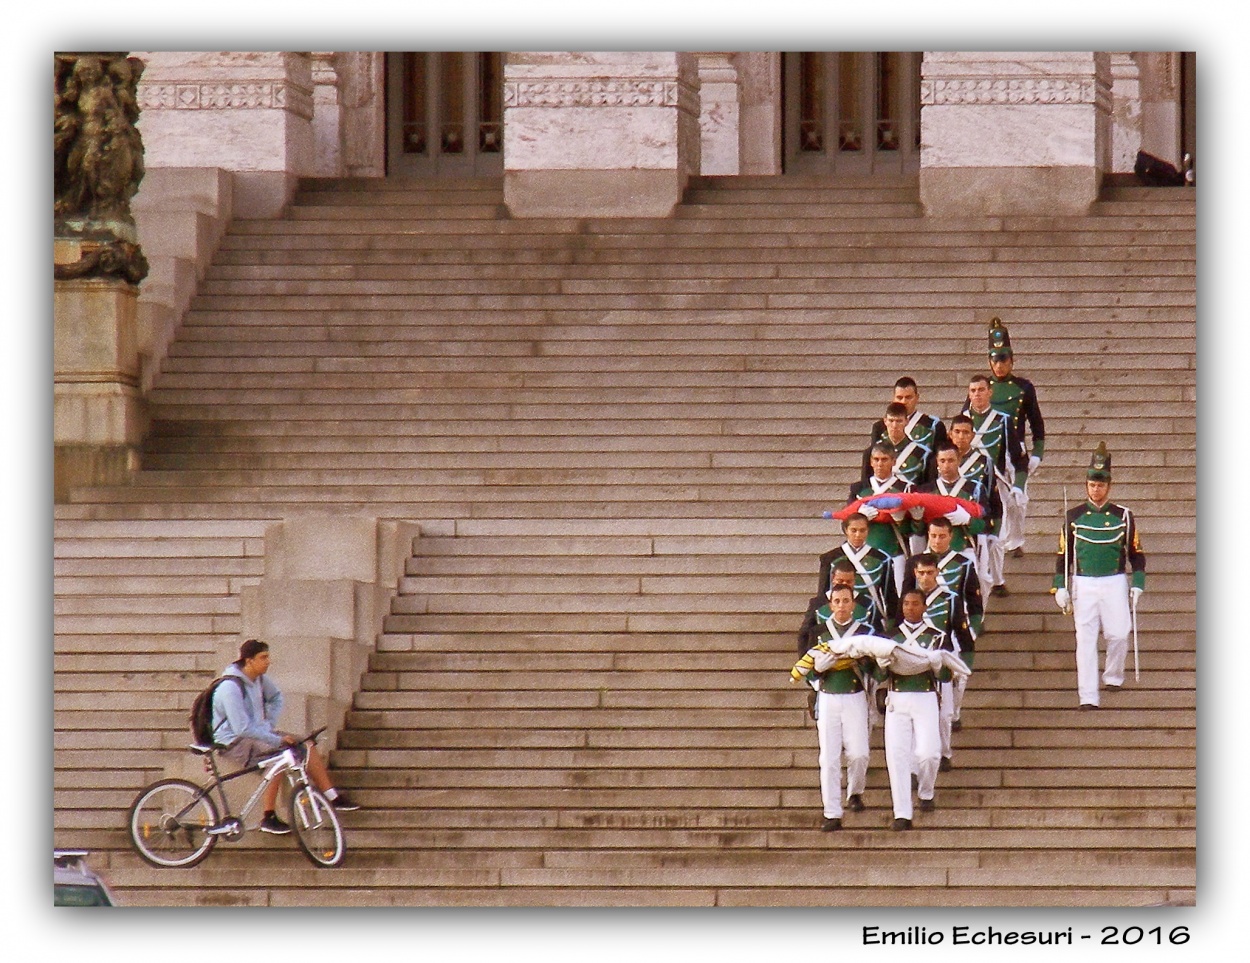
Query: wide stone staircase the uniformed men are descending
[618, 438]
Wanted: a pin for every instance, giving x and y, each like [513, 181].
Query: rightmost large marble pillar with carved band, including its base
[1014, 133]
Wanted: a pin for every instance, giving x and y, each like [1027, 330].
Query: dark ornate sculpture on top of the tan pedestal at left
[99, 162]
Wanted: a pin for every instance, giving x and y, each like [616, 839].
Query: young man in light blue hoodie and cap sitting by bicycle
[243, 722]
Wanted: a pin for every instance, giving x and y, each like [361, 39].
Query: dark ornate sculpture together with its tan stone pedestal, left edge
[98, 415]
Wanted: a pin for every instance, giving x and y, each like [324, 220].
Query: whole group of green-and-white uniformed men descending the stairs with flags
[901, 603]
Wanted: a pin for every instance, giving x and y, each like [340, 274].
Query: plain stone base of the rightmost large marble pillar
[1007, 192]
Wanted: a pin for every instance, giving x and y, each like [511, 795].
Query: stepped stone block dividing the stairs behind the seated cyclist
[327, 588]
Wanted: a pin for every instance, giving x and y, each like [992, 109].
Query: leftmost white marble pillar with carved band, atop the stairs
[248, 113]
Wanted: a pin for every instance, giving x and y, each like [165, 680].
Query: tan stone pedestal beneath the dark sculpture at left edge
[98, 413]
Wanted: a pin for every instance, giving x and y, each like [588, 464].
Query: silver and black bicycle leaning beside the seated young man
[176, 824]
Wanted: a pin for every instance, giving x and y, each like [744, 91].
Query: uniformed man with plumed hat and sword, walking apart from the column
[1098, 550]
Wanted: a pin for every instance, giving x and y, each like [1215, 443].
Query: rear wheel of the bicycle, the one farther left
[171, 822]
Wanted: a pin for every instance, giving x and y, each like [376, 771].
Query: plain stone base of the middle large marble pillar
[593, 193]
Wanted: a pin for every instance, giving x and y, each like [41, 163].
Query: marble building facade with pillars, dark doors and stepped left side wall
[608, 134]
